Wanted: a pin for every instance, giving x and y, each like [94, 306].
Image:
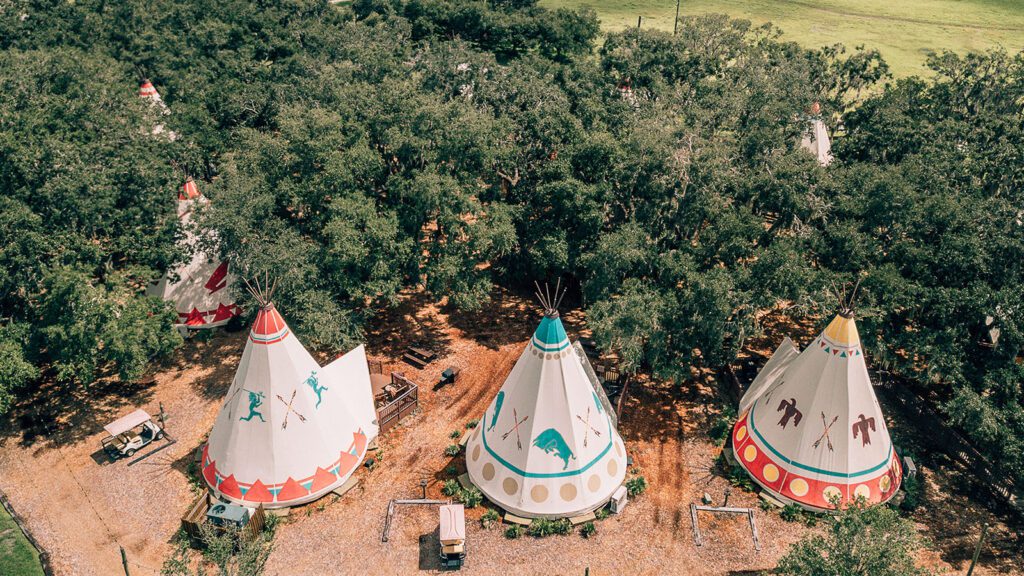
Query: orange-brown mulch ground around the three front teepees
[82, 509]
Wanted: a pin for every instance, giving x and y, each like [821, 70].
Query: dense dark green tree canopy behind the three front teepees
[354, 152]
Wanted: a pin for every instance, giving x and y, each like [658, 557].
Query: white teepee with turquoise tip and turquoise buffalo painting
[546, 446]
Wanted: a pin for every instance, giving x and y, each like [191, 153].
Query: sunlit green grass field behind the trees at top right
[903, 30]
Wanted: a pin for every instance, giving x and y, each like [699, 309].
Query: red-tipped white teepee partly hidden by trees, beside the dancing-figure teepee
[199, 289]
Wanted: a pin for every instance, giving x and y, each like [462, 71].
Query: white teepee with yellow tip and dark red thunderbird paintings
[812, 430]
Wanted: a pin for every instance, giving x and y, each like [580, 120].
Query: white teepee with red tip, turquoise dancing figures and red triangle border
[289, 431]
